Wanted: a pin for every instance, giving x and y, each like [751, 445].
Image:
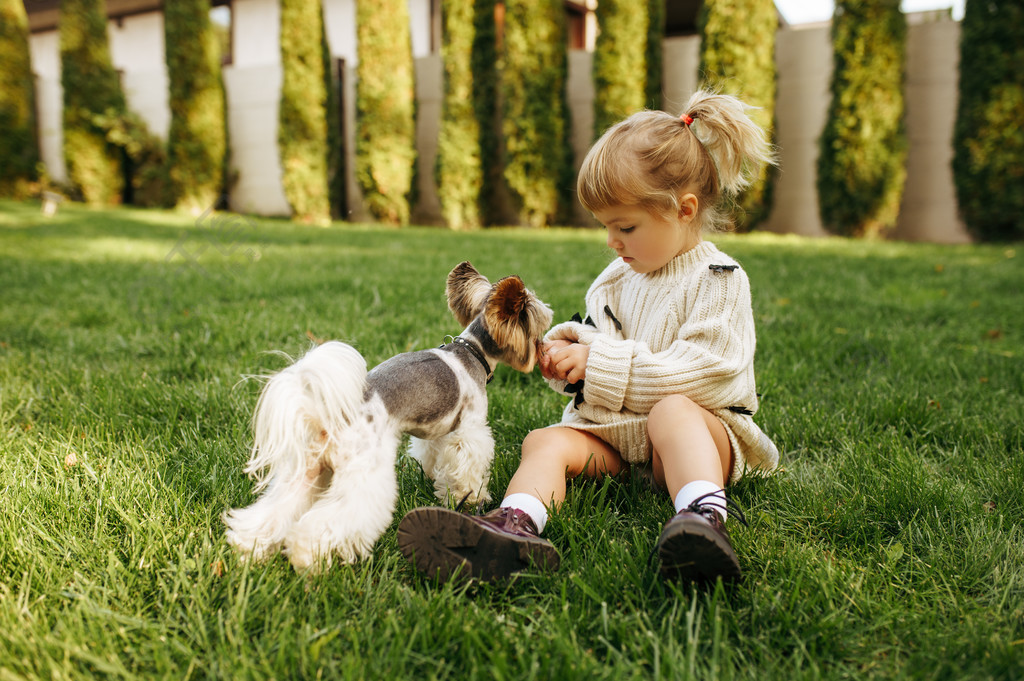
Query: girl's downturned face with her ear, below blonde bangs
[646, 241]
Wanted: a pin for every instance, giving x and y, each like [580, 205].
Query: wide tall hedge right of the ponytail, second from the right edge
[862, 166]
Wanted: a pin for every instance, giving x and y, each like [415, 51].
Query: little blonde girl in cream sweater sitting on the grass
[661, 371]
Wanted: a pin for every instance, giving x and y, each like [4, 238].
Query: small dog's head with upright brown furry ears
[507, 319]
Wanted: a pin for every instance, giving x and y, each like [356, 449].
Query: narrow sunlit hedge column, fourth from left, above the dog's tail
[303, 115]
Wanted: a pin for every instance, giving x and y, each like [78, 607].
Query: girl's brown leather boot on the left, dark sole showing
[447, 544]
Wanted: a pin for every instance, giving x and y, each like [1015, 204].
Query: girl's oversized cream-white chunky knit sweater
[686, 329]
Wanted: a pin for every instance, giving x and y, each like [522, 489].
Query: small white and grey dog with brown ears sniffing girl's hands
[327, 434]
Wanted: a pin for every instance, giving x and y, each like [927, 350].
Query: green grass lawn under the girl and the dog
[890, 545]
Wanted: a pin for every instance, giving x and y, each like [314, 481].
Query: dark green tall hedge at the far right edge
[989, 159]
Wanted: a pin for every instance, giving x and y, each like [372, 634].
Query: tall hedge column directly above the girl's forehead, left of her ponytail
[620, 62]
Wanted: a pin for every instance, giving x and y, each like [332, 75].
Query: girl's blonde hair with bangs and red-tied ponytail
[653, 159]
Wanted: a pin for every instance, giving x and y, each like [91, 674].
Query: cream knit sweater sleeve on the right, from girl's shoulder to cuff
[710, 360]
